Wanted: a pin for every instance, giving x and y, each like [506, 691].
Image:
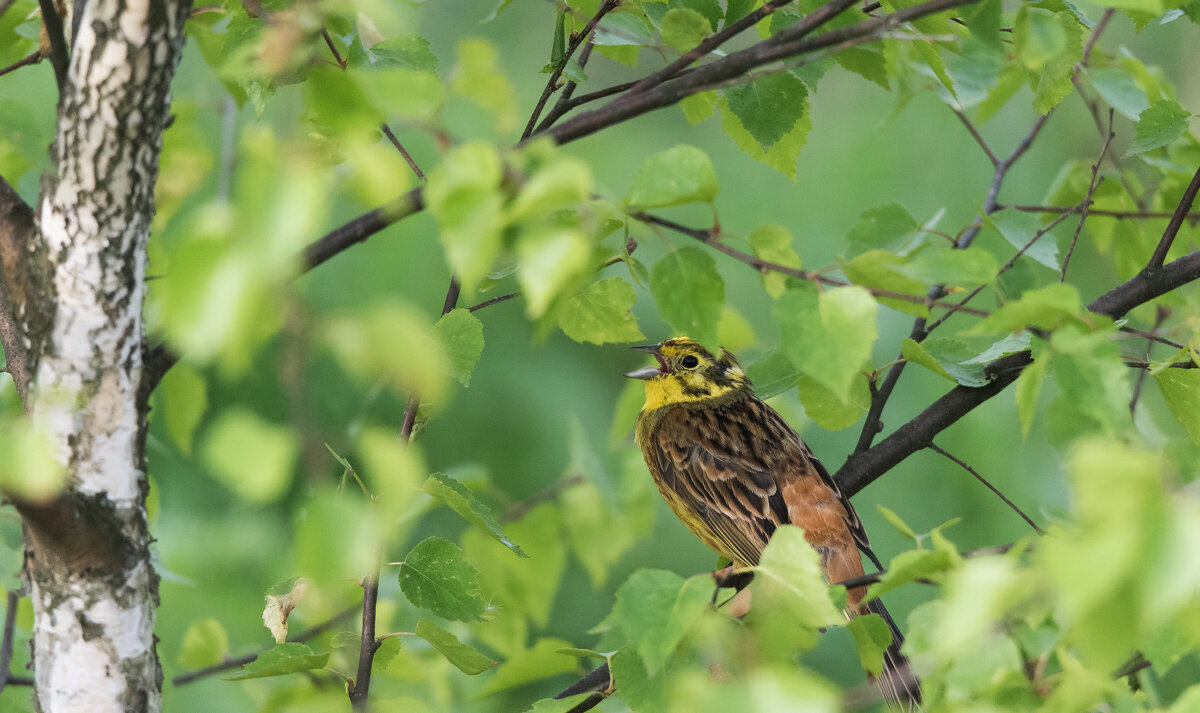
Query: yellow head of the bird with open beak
[688, 373]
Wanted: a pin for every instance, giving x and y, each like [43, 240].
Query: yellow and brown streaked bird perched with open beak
[734, 470]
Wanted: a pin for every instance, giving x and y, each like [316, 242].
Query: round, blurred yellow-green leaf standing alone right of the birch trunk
[250, 457]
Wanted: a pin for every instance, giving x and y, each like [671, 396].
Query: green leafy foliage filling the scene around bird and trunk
[857, 189]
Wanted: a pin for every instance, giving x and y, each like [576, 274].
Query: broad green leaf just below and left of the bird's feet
[656, 609]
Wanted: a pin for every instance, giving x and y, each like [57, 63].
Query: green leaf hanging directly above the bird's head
[691, 293]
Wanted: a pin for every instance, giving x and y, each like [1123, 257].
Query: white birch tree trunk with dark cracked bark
[73, 327]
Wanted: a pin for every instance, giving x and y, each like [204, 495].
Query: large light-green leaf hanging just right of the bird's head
[829, 335]
